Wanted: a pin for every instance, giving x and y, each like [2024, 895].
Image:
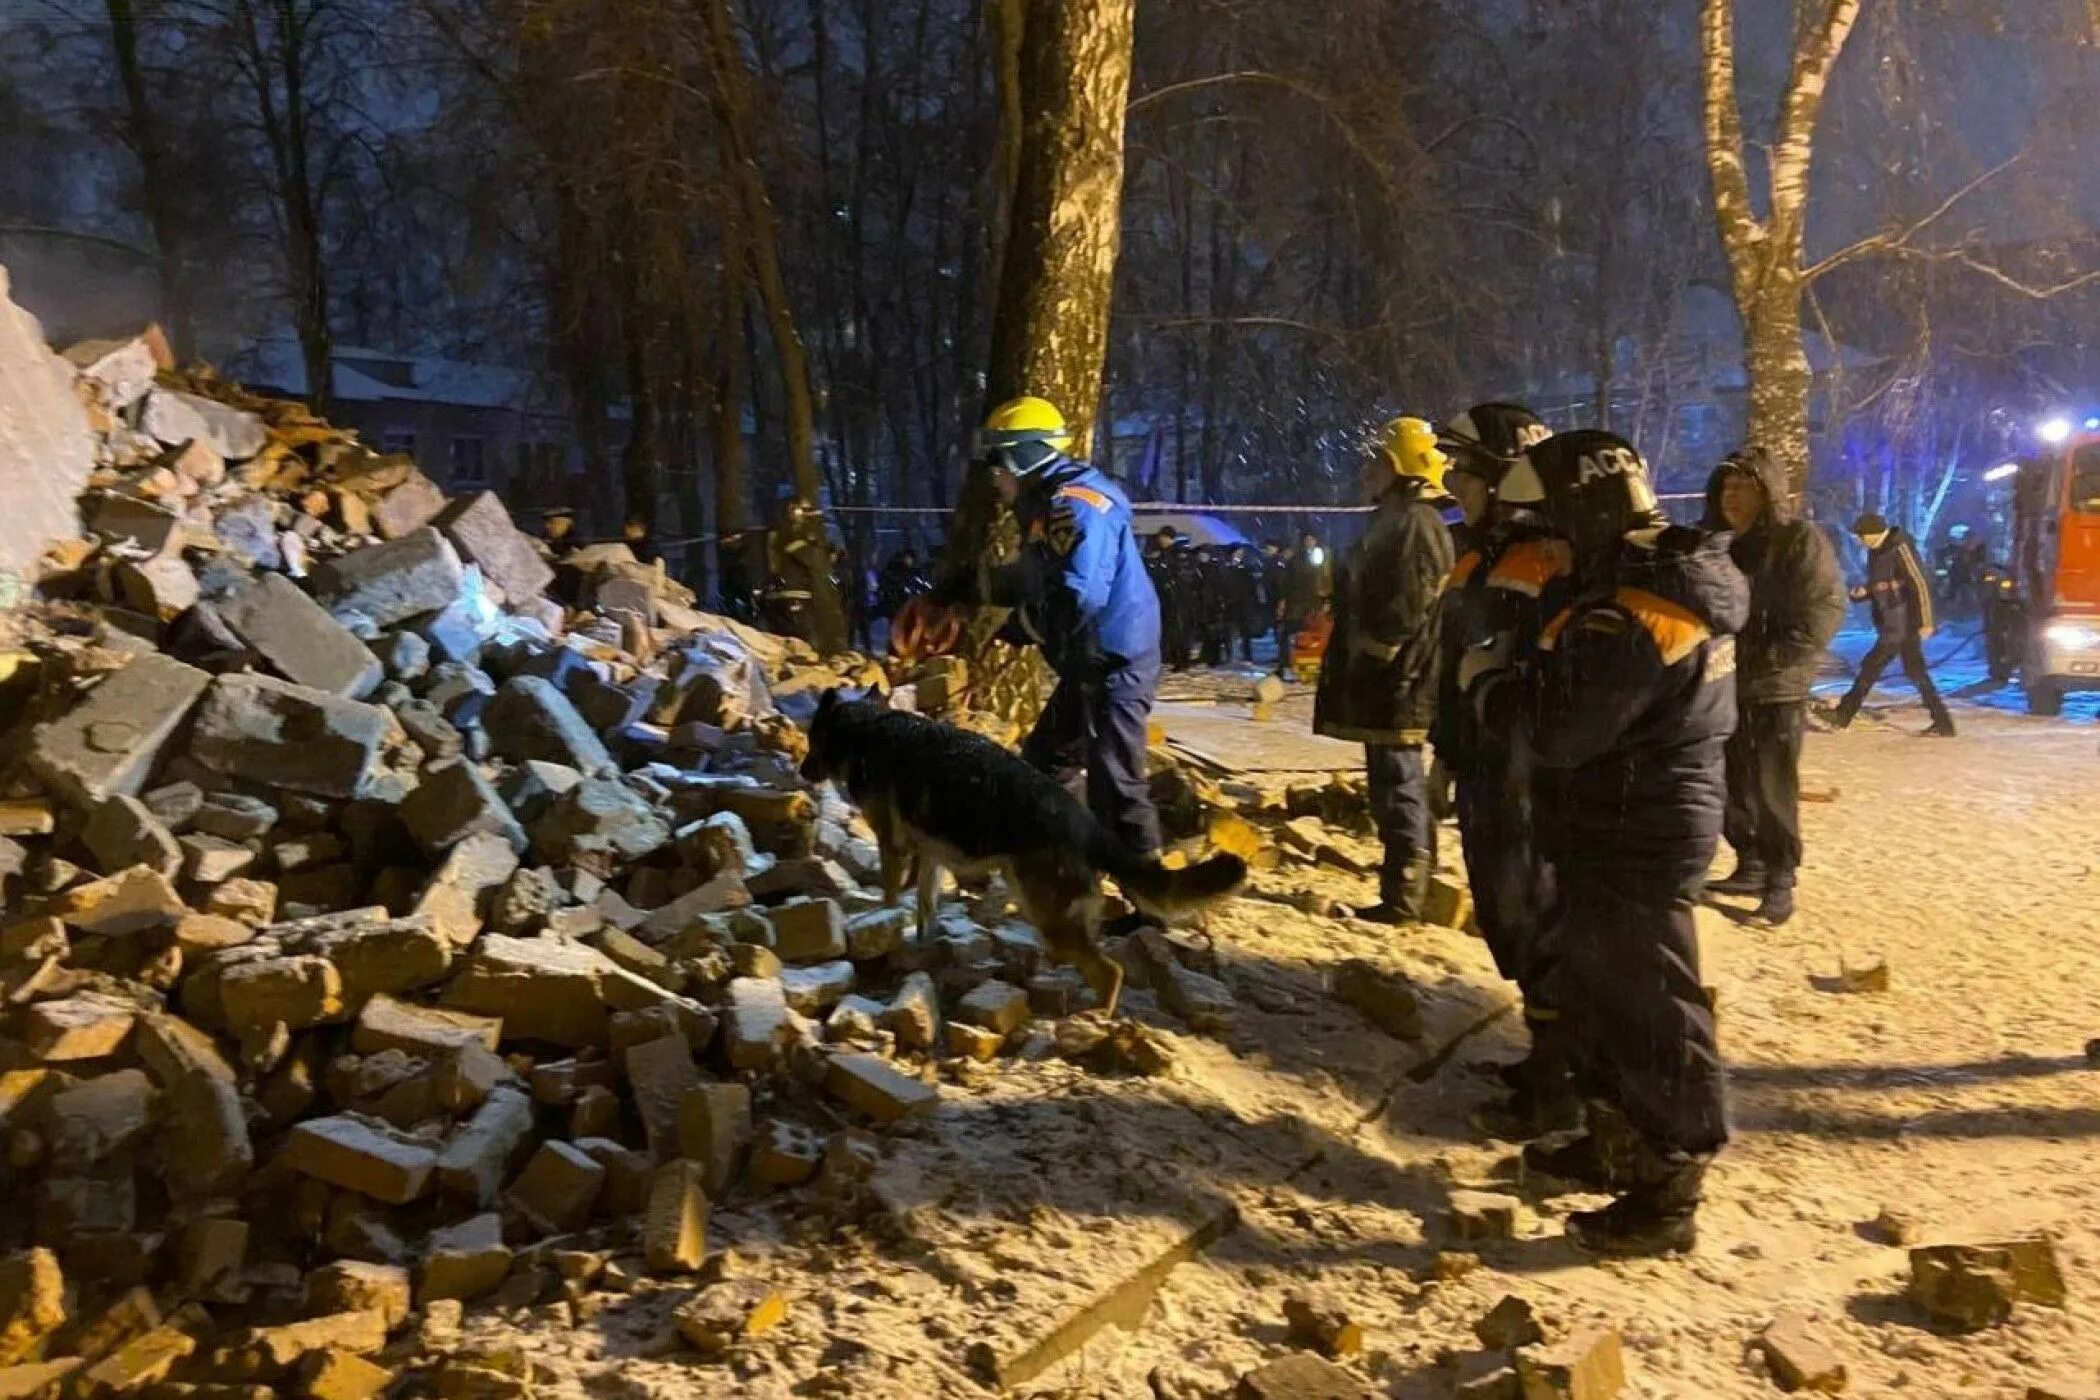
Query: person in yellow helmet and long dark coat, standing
[1379, 675]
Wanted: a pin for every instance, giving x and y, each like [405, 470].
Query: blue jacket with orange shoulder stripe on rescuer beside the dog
[1080, 589]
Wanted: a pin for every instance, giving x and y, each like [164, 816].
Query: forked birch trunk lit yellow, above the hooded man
[1767, 253]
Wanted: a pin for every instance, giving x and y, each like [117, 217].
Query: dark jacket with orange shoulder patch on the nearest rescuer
[1626, 713]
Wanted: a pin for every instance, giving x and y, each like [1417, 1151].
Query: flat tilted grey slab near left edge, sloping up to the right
[110, 744]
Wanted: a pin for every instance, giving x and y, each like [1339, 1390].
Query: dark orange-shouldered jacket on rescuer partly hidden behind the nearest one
[1498, 599]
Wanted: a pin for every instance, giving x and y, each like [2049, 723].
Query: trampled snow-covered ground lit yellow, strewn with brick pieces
[1324, 1153]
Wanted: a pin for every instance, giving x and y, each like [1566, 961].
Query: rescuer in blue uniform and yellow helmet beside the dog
[1085, 597]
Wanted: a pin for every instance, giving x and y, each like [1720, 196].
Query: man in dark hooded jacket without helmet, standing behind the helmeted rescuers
[1797, 606]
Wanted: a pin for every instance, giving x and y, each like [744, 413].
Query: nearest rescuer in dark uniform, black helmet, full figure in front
[1626, 713]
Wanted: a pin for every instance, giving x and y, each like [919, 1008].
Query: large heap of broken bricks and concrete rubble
[398, 918]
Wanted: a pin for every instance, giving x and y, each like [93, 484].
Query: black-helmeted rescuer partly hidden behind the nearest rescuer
[1498, 597]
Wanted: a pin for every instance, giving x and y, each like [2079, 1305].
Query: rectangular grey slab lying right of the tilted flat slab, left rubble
[285, 736]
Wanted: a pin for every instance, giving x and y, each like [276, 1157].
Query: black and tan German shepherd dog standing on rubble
[946, 799]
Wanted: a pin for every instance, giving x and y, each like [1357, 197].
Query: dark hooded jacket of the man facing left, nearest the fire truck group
[1797, 591]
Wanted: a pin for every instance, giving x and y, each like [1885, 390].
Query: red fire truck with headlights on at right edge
[2044, 608]
